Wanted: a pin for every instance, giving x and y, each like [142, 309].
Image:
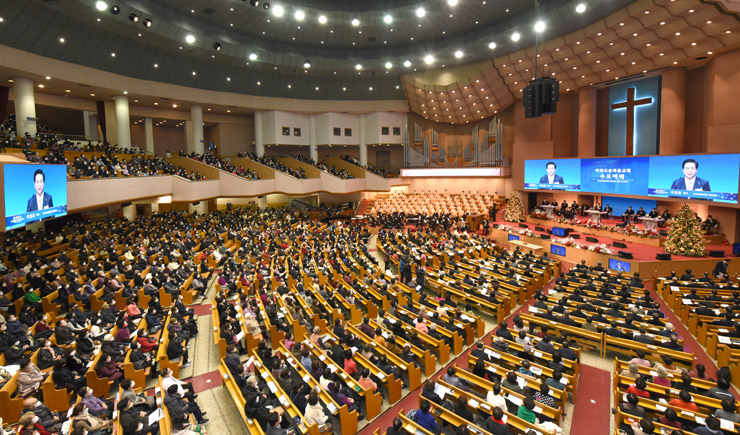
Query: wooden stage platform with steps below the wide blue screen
[643, 261]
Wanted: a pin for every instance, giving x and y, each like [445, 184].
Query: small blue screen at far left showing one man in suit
[34, 193]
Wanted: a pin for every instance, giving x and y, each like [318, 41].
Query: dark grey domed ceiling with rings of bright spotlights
[282, 44]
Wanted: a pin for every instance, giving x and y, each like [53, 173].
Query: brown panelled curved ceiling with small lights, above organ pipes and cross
[643, 38]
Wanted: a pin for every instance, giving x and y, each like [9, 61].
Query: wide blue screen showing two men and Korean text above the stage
[709, 177]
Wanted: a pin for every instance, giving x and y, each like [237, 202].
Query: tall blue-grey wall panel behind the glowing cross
[646, 116]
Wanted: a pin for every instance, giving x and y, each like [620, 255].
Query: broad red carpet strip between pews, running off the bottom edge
[591, 413]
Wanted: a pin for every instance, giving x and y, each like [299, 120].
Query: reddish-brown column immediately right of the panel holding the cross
[673, 111]
